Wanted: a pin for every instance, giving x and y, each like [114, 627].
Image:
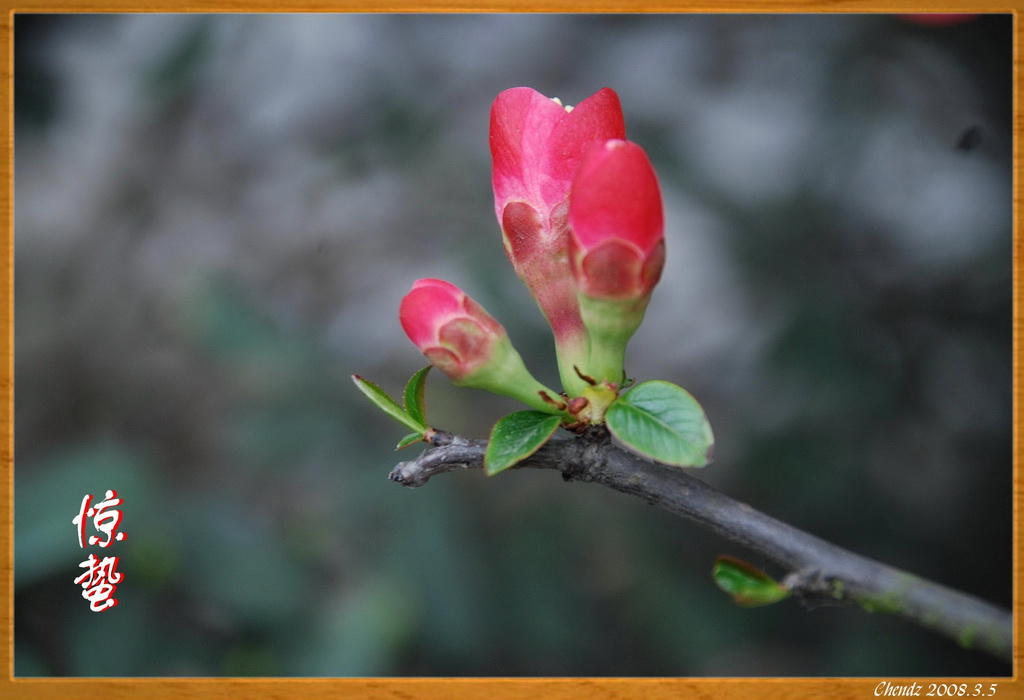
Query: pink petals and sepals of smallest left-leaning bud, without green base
[452, 330]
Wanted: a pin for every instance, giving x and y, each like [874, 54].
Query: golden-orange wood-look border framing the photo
[456, 689]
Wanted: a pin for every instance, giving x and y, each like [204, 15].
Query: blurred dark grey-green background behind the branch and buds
[217, 218]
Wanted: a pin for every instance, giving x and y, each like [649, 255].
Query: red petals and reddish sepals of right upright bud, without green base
[617, 243]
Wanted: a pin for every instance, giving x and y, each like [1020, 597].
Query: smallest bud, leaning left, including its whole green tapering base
[467, 344]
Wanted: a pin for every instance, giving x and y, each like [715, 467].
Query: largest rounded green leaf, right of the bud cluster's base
[663, 422]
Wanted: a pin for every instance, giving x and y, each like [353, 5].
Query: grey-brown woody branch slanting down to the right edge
[817, 568]
